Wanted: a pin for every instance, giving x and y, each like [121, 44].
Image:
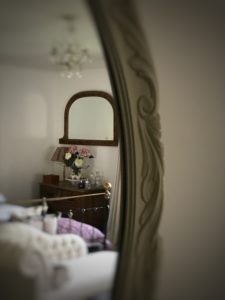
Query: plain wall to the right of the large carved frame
[187, 42]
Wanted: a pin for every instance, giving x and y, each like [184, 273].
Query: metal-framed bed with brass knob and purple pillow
[66, 221]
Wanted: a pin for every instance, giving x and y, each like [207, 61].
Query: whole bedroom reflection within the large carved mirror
[60, 154]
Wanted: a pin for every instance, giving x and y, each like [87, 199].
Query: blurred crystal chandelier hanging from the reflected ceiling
[67, 53]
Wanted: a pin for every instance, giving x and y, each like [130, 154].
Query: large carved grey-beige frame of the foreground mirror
[135, 90]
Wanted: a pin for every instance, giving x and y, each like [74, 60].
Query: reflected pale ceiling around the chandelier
[28, 28]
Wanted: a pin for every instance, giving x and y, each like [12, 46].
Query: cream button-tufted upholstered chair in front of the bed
[37, 265]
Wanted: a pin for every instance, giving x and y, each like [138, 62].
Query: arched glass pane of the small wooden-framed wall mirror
[91, 118]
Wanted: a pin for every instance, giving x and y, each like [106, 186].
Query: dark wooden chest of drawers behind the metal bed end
[87, 208]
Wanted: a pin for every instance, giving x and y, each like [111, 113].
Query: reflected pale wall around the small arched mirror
[32, 104]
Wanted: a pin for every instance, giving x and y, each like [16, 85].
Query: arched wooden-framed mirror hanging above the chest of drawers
[90, 119]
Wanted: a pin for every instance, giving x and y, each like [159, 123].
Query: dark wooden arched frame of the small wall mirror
[67, 140]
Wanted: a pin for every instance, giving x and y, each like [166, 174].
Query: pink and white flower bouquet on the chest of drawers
[74, 158]
